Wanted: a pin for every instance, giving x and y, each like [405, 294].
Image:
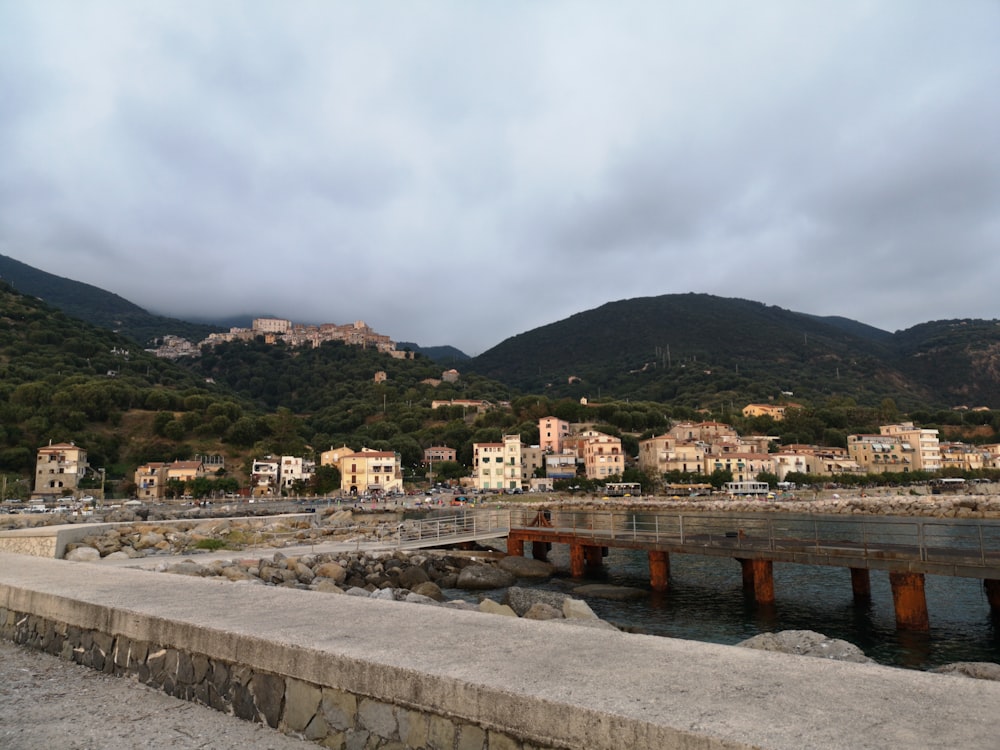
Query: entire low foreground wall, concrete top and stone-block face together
[347, 672]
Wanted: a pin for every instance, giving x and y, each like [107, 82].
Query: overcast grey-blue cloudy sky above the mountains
[456, 173]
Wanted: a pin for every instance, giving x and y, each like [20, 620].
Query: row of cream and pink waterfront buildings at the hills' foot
[565, 452]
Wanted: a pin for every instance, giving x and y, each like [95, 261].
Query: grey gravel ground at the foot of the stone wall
[47, 703]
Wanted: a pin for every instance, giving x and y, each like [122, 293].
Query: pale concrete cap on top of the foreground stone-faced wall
[544, 673]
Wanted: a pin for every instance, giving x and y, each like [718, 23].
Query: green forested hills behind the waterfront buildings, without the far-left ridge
[640, 364]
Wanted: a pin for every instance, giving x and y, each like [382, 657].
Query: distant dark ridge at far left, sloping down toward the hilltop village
[96, 306]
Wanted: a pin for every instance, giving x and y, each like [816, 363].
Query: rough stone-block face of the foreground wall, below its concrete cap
[331, 717]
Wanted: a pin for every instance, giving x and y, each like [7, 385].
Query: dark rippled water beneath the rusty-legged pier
[706, 602]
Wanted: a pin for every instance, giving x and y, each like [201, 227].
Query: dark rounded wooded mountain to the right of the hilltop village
[706, 351]
